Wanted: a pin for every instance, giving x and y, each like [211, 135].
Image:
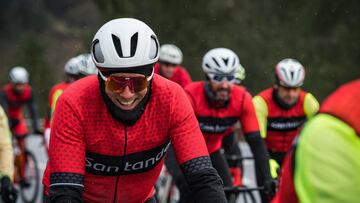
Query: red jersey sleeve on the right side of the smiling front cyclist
[186, 137]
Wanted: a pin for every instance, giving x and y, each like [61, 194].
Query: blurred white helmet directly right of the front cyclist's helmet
[171, 54]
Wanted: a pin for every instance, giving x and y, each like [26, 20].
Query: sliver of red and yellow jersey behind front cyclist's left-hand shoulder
[54, 94]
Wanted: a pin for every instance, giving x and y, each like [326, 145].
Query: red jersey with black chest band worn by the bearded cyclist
[215, 123]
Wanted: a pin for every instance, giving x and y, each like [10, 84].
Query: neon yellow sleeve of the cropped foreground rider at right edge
[327, 162]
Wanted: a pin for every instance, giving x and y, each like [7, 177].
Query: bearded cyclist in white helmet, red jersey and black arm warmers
[218, 105]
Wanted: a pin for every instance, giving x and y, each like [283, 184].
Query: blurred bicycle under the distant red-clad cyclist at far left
[30, 190]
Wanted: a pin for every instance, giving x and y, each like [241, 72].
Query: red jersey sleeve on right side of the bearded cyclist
[249, 122]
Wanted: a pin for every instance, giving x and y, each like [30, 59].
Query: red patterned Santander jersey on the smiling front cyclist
[113, 162]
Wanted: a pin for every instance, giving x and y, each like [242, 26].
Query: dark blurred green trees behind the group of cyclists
[323, 35]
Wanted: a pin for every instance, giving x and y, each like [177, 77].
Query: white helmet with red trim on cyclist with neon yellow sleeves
[290, 73]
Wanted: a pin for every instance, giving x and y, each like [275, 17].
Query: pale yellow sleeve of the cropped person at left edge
[6, 152]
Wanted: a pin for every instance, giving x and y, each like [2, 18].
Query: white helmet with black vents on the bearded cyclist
[220, 61]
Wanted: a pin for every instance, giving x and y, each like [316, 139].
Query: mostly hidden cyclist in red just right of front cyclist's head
[169, 65]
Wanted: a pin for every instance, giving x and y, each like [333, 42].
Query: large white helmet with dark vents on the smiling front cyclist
[124, 43]
